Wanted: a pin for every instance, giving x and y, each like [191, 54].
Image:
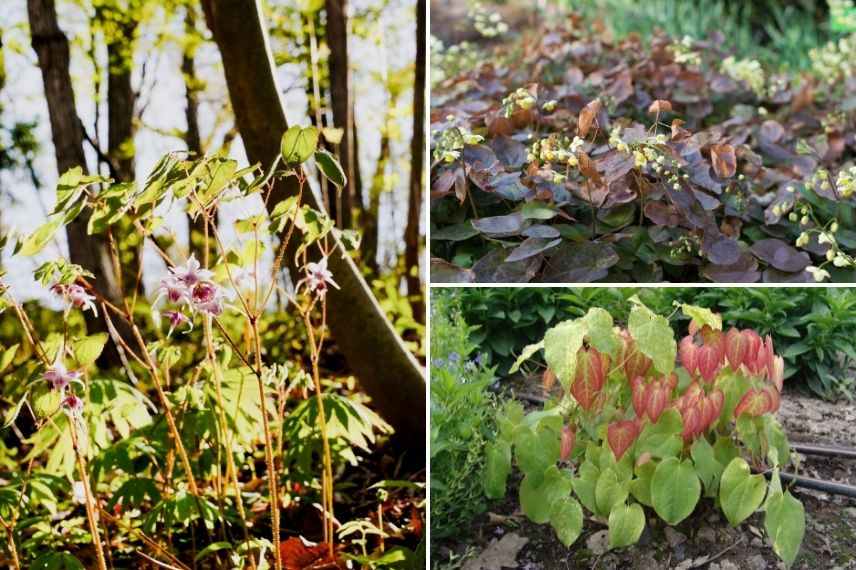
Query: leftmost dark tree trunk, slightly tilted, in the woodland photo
[90, 252]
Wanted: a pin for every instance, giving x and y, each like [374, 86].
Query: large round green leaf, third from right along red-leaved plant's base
[675, 490]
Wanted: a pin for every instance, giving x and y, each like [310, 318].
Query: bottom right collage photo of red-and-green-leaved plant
[634, 427]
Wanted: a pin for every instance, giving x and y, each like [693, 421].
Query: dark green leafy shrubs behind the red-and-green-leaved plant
[814, 328]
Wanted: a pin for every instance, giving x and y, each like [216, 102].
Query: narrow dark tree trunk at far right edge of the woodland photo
[412, 239]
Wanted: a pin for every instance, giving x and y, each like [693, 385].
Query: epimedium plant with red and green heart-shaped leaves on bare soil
[644, 421]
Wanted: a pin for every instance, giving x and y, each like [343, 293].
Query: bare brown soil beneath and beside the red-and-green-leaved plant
[504, 538]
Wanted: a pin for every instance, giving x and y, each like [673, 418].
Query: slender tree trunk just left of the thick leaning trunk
[196, 227]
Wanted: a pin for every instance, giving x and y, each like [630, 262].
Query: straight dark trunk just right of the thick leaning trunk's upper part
[341, 205]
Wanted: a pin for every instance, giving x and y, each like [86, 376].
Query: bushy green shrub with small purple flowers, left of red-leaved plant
[461, 417]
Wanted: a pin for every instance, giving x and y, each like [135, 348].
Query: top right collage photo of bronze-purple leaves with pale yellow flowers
[618, 141]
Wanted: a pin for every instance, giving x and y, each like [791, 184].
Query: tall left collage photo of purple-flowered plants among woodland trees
[212, 299]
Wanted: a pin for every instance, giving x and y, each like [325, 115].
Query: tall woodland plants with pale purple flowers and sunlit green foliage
[175, 461]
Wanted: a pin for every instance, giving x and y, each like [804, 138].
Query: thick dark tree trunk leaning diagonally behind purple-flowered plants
[384, 366]
